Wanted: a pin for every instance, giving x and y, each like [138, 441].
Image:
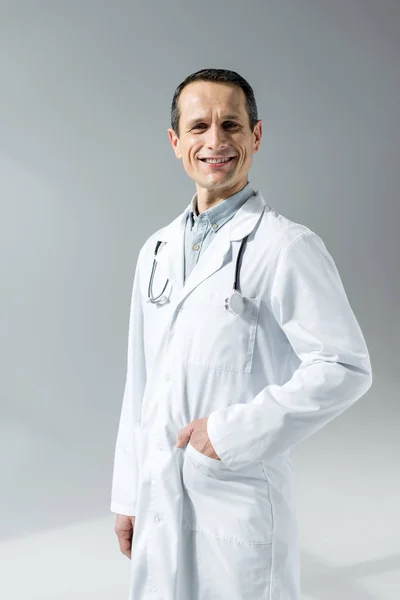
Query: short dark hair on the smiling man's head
[217, 76]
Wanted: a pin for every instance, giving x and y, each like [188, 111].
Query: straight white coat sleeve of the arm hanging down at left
[127, 449]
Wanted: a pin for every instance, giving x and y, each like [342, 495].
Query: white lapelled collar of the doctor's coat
[170, 259]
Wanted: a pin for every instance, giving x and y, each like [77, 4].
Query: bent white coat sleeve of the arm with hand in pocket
[310, 304]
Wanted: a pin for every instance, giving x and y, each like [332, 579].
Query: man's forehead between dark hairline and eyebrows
[201, 97]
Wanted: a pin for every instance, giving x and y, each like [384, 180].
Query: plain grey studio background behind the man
[87, 173]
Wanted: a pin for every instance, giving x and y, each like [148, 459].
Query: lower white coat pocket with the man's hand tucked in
[231, 505]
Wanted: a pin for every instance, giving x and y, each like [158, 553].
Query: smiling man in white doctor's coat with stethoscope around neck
[242, 343]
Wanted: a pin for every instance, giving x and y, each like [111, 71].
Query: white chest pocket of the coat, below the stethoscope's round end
[213, 337]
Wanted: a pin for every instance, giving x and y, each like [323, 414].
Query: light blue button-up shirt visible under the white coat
[201, 229]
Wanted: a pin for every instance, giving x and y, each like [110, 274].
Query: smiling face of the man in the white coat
[214, 123]
